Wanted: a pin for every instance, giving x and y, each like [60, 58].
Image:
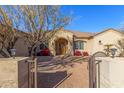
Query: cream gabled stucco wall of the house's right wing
[108, 37]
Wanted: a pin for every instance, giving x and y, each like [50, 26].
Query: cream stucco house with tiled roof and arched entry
[67, 42]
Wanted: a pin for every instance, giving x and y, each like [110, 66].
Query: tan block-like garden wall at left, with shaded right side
[13, 72]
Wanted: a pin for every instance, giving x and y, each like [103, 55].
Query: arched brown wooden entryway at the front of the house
[61, 46]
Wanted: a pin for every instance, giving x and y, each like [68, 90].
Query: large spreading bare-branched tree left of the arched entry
[41, 23]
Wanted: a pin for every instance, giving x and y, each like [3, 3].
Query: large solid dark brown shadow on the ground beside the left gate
[49, 80]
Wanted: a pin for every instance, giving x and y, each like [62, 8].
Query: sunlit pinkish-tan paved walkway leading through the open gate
[79, 77]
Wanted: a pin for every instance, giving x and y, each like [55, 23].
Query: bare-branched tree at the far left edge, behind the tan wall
[9, 22]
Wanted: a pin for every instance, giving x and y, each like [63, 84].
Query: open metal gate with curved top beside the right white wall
[94, 69]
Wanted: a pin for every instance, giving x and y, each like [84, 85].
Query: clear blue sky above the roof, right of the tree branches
[93, 18]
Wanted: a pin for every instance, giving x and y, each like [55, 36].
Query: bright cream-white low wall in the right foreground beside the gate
[111, 72]
